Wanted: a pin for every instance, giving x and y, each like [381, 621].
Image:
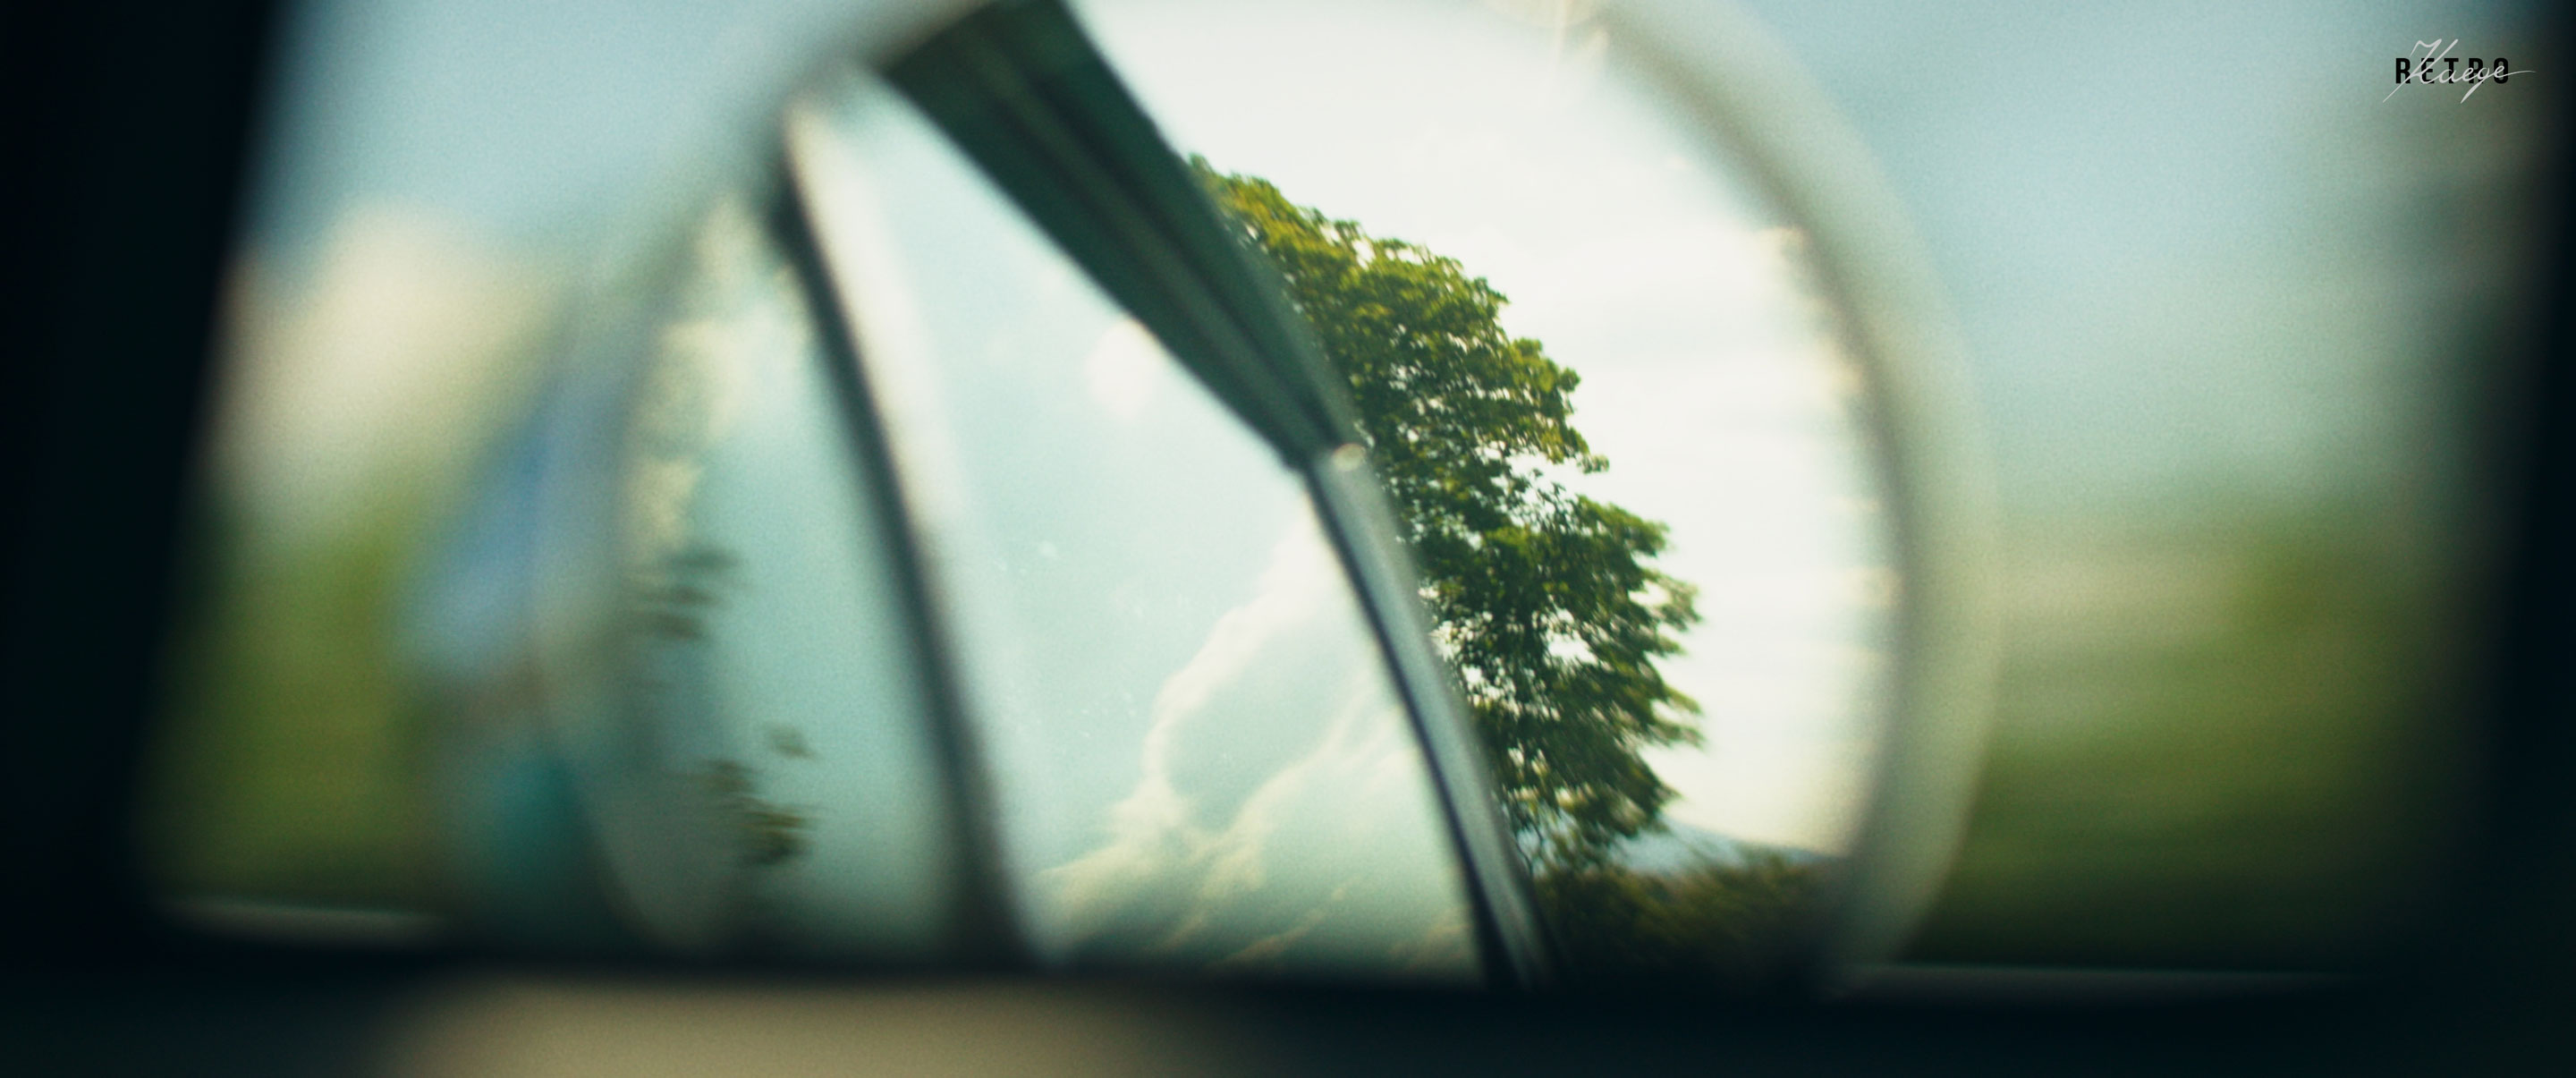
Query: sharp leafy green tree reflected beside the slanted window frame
[1544, 602]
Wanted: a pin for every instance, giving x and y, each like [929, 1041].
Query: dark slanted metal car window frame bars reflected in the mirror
[1042, 115]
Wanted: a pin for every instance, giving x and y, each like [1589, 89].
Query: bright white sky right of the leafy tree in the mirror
[1632, 251]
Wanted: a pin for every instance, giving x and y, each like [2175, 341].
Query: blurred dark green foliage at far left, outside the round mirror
[287, 767]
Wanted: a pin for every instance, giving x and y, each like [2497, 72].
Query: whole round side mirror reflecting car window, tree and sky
[1083, 494]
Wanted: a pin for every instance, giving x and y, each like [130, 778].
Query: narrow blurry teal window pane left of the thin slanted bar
[772, 659]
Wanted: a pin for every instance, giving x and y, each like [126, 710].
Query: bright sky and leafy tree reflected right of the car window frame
[1611, 409]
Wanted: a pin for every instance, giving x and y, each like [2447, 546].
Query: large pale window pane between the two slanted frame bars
[1197, 747]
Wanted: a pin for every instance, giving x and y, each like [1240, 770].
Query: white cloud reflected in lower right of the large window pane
[1284, 811]
